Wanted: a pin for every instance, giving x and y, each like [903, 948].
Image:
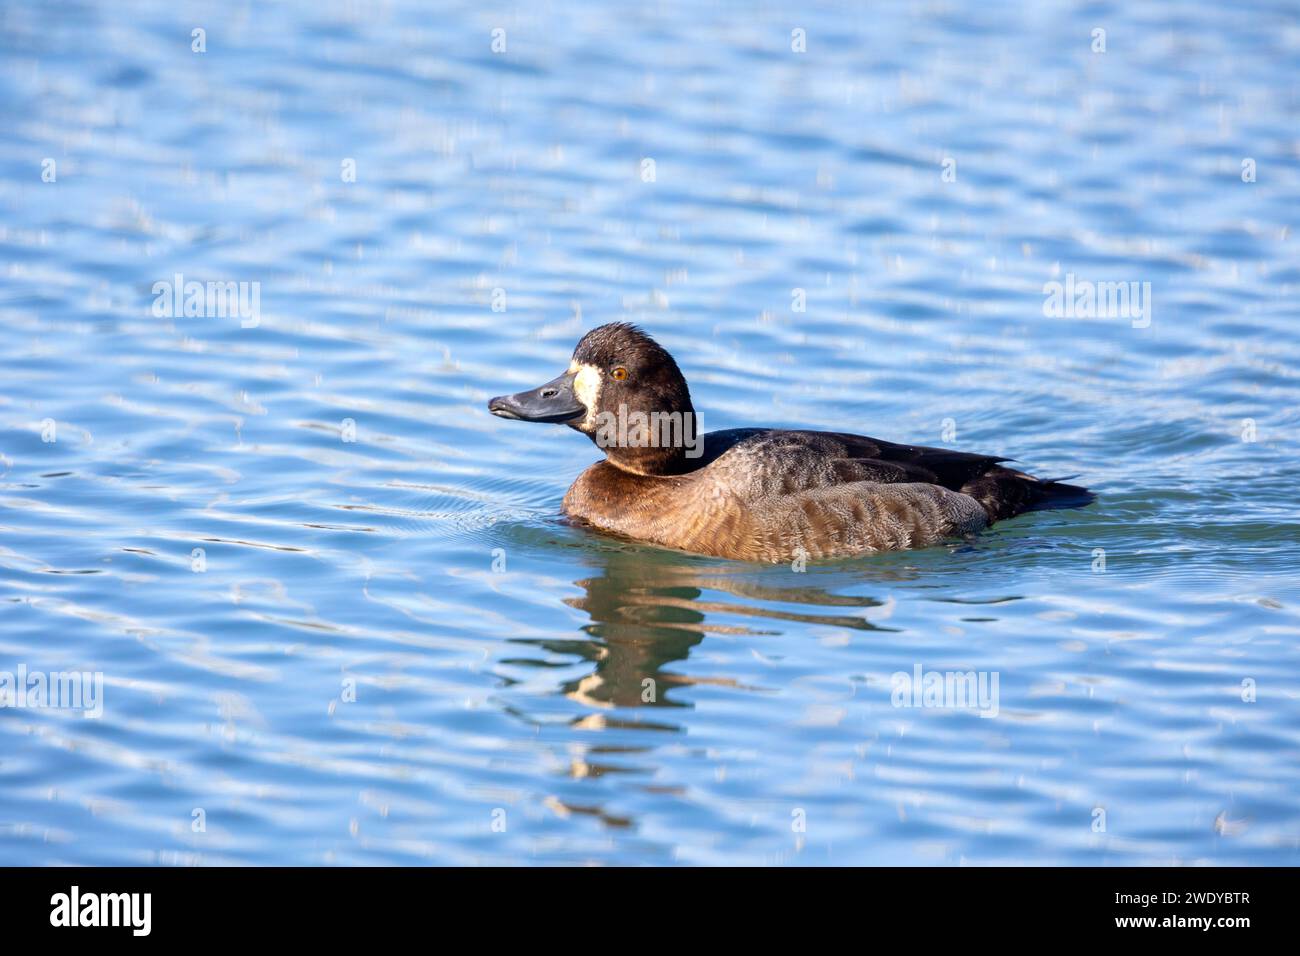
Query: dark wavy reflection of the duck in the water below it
[651, 608]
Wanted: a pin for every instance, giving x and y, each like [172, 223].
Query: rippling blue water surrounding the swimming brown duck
[499, 659]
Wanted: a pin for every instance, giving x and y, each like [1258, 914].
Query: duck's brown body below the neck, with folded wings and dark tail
[772, 495]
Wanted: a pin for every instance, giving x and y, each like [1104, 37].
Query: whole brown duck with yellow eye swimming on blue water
[757, 495]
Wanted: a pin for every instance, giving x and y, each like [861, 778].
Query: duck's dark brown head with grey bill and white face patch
[626, 393]
